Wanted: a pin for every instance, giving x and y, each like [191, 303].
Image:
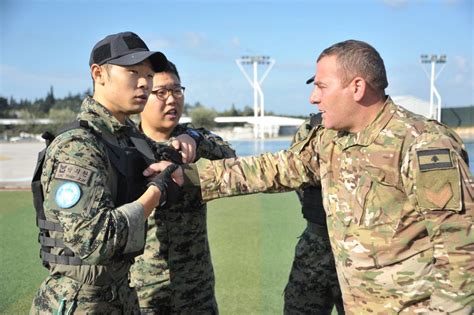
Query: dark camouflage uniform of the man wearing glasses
[175, 273]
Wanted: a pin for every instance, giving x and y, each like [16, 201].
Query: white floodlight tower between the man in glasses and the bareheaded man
[256, 84]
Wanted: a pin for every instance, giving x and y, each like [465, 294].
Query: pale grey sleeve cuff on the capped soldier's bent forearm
[134, 212]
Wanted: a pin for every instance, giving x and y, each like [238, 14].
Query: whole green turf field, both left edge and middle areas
[252, 241]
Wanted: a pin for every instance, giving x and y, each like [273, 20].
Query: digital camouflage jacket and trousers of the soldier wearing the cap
[79, 187]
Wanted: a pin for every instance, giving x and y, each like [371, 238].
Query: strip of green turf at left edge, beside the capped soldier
[21, 271]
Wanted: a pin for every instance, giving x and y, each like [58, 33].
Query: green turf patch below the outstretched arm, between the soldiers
[252, 242]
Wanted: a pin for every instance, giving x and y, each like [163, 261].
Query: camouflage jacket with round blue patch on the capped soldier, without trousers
[79, 190]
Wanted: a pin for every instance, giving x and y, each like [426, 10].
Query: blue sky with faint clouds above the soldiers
[47, 43]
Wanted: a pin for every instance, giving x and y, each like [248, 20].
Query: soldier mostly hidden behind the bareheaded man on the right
[312, 287]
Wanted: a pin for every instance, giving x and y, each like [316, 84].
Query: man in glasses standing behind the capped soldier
[175, 273]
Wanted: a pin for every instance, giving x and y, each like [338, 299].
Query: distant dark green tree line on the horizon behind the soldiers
[61, 110]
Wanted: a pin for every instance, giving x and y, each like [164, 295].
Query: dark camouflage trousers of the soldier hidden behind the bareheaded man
[313, 287]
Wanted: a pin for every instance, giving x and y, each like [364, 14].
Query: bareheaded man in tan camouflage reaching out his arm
[398, 193]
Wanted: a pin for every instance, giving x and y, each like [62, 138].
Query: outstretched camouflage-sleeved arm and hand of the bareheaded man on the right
[282, 171]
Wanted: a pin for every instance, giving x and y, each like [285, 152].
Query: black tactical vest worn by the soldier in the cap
[129, 164]
